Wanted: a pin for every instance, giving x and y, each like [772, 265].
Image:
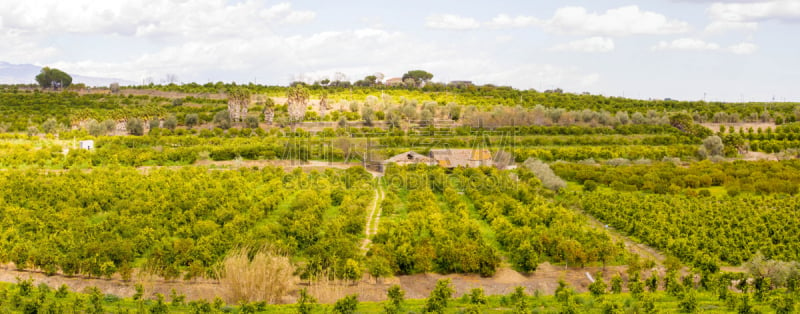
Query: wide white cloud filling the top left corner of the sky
[188, 18]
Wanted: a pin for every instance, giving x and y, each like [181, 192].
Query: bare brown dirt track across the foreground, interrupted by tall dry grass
[544, 279]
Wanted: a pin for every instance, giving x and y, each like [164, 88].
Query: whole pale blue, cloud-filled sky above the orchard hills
[736, 50]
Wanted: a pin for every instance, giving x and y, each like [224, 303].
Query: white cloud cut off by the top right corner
[786, 10]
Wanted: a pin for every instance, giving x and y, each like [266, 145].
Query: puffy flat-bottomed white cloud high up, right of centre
[628, 20]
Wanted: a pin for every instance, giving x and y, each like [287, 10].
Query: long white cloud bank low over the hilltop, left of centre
[199, 60]
